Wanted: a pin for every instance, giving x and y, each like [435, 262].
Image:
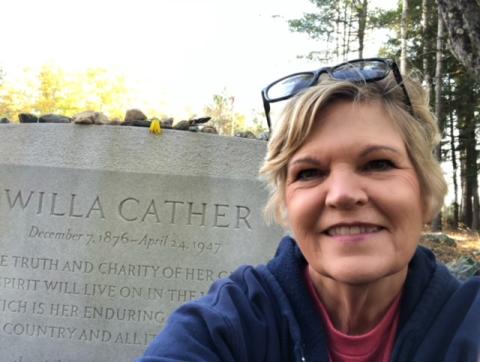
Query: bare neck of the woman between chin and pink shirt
[356, 309]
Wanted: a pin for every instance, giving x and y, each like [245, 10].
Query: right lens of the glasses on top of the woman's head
[361, 71]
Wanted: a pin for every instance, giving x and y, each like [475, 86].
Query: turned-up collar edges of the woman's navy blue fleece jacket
[427, 287]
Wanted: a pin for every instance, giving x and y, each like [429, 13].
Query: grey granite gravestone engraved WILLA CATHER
[105, 230]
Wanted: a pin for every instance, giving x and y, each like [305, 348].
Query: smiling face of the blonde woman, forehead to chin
[353, 197]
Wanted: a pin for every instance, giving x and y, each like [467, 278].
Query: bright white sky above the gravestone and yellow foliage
[175, 54]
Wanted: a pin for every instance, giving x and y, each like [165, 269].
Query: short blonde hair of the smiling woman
[419, 132]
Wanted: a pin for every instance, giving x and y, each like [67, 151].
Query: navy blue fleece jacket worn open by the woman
[266, 314]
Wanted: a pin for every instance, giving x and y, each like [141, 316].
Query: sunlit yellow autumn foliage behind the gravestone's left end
[52, 90]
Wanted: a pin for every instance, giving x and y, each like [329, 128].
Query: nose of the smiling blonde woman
[345, 190]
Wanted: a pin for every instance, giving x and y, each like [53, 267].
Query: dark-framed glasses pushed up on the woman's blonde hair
[356, 71]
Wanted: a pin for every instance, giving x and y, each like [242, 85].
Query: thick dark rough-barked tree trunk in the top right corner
[461, 18]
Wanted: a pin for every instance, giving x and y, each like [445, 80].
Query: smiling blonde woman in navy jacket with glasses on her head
[353, 178]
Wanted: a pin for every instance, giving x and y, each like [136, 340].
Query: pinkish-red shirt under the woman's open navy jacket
[375, 345]
